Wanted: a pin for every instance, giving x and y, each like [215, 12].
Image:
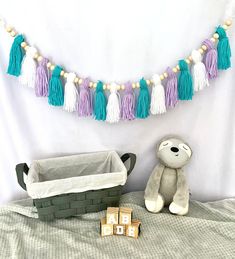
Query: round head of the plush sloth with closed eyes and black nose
[174, 152]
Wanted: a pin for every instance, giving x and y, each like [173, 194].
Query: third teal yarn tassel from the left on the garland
[100, 103]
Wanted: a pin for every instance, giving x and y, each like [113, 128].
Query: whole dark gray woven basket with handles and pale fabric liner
[75, 194]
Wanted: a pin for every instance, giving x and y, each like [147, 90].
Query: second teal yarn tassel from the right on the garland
[185, 82]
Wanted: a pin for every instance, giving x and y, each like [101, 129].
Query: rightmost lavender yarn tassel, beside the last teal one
[210, 60]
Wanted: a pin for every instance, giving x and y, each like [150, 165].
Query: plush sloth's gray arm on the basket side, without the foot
[152, 188]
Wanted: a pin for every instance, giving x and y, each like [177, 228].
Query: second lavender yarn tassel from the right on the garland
[171, 89]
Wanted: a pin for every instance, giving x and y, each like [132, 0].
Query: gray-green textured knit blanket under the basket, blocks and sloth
[208, 231]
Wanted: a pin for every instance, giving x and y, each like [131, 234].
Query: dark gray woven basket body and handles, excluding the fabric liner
[70, 204]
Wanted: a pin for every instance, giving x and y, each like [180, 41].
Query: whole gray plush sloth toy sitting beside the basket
[167, 184]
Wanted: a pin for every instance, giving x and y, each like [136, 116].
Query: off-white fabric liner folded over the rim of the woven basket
[74, 174]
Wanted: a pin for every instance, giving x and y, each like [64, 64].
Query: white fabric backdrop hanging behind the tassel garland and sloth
[118, 40]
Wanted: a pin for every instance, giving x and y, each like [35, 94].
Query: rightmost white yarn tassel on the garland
[199, 72]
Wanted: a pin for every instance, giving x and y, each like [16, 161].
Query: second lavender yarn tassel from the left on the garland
[85, 103]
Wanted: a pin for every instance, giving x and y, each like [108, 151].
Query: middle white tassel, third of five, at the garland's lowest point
[113, 106]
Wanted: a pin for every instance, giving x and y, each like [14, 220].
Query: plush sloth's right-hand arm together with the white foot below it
[181, 197]
